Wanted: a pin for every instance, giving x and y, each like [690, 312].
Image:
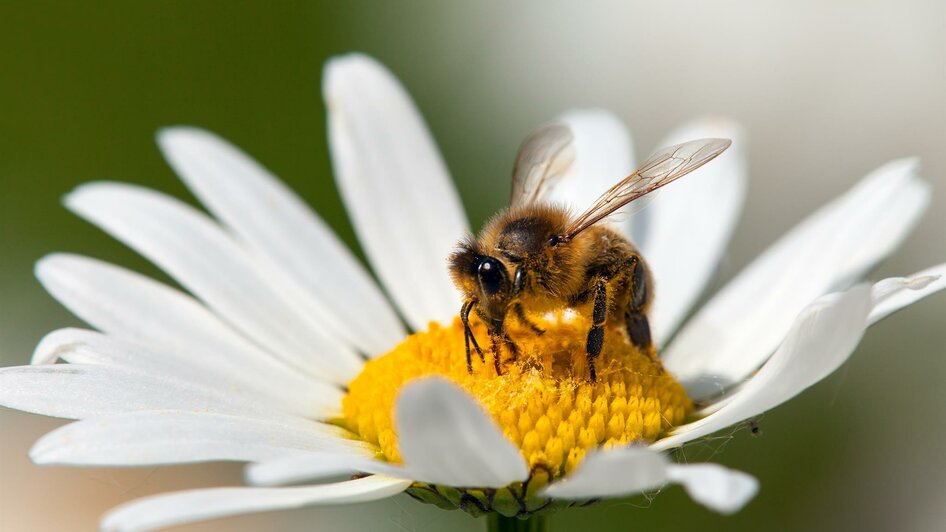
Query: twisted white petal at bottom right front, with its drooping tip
[632, 470]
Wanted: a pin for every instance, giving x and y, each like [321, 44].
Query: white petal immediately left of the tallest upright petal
[286, 234]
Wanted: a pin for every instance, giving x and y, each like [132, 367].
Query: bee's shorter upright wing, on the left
[544, 158]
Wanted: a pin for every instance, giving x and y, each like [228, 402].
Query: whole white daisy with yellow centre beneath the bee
[288, 355]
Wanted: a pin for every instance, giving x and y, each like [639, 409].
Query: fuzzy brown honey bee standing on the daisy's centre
[535, 256]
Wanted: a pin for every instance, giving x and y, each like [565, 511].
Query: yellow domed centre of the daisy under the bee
[544, 401]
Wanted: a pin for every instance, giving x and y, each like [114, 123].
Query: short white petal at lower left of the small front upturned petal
[317, 467]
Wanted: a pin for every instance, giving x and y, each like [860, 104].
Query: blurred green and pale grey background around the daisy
[827, 92]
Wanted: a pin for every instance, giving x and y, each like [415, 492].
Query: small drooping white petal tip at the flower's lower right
[714, 486]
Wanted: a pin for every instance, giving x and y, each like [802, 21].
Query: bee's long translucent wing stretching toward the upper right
[663, 167]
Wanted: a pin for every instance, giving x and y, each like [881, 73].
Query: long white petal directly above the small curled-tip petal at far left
[129, 305]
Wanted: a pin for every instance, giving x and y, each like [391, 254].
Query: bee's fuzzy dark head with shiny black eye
[483, 278]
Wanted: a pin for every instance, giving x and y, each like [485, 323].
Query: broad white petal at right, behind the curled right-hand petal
[741, 326]
